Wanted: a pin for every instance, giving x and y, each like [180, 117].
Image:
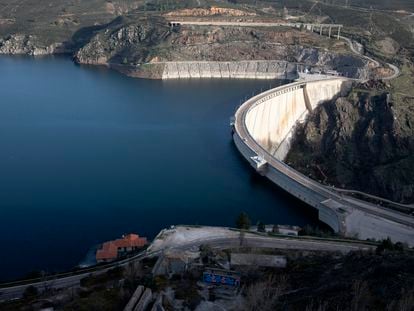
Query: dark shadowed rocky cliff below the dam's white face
[363, 142]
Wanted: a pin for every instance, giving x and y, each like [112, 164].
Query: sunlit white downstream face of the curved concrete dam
[271, 121]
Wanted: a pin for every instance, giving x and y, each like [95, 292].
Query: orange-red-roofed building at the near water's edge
[111, 250]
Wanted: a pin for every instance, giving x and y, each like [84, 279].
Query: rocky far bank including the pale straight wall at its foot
[149, 48]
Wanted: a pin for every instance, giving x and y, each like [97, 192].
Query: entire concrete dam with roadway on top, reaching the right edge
[263, 128]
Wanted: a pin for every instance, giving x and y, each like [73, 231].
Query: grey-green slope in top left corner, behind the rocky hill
[57, 21]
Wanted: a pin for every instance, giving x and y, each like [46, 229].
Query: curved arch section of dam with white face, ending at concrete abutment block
[264, 126]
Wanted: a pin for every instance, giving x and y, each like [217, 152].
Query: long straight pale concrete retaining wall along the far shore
[232, 70]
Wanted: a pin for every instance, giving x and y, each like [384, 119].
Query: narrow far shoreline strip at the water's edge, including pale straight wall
[259, 69]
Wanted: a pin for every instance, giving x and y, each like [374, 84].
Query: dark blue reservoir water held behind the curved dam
[87, 154]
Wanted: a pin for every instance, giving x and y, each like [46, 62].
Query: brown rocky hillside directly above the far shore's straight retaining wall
[131, 43]
